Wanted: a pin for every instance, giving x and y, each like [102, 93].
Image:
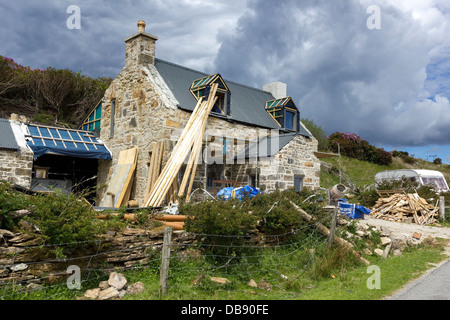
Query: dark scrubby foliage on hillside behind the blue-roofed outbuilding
[63, 95]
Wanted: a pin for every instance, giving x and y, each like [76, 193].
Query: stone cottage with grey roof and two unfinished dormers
[253, 136]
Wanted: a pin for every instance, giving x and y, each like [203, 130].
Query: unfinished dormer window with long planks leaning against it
[201, 88]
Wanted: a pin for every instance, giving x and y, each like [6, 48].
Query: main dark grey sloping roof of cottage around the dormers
[247, 103]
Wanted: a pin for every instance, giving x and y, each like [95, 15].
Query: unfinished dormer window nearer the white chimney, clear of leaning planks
[285, 113]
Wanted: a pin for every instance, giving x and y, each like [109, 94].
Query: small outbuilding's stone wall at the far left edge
[16, 166]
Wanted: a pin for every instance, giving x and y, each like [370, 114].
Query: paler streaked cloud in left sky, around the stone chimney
[35, 32]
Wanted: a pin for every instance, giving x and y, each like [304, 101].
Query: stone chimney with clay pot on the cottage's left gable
[140, 47]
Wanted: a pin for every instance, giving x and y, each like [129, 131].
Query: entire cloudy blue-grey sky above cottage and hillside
[390, 85]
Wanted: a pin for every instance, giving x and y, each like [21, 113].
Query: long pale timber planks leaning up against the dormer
[189, 144]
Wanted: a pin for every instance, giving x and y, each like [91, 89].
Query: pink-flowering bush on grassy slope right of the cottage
[353, 146]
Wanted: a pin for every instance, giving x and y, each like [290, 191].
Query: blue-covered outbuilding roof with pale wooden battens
[67, 142]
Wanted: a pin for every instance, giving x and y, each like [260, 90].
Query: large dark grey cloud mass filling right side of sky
[343, 75]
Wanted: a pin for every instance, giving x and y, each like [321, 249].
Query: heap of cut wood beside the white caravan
[405, 207]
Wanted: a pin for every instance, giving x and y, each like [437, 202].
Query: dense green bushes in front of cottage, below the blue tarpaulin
[225, 221]
